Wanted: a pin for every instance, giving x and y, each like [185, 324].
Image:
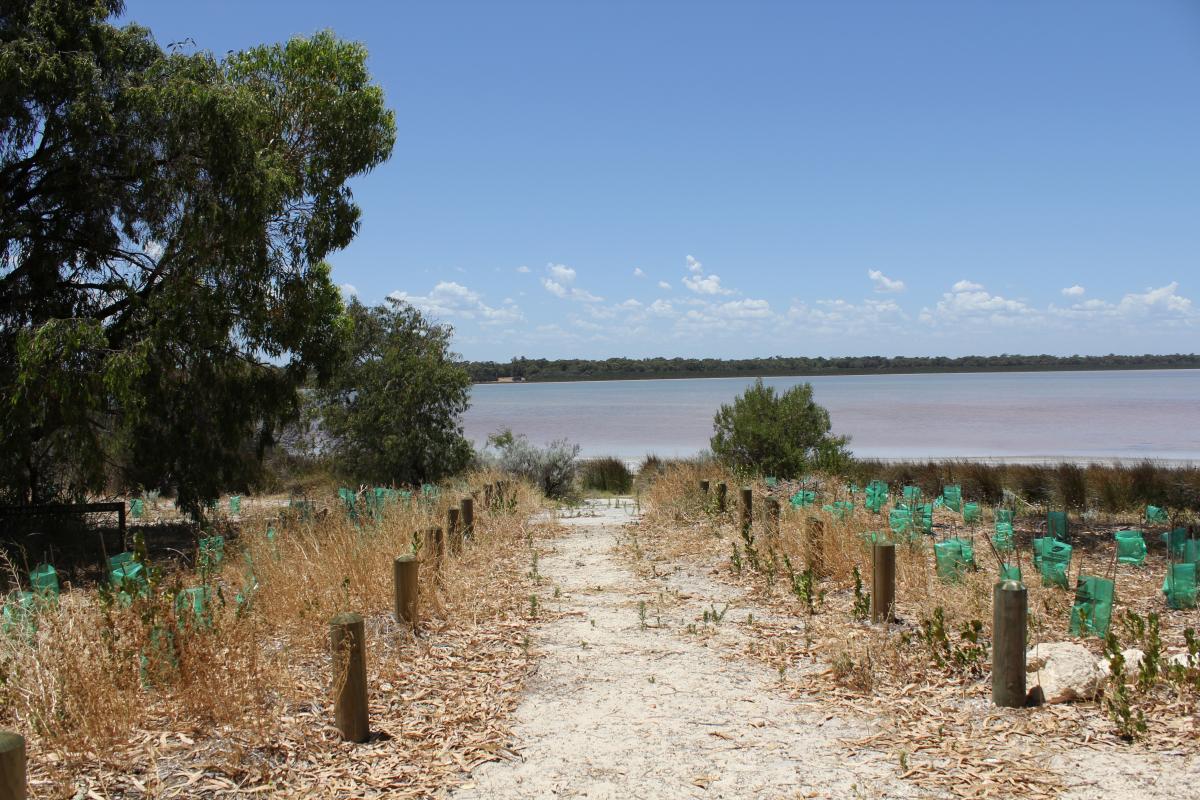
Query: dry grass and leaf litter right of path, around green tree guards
[934, 711]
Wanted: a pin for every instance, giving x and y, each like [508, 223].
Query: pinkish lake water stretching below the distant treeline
[1015, 416]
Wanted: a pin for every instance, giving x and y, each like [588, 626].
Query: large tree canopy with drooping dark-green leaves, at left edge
[165, 221]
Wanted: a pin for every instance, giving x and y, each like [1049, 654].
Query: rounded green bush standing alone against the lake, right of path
[779, 435]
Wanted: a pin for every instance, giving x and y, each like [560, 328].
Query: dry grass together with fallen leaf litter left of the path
[244, 705]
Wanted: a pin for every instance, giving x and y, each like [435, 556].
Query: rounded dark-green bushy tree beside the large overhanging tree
[392, 411]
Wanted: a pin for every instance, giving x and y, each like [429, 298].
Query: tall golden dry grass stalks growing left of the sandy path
[99, 669]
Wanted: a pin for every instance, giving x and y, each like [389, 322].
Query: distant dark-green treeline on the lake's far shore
[535, 370]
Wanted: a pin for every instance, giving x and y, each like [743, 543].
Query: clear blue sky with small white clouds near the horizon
[741, 179]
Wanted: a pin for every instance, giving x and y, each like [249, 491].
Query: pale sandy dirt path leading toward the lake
[632, 706]
